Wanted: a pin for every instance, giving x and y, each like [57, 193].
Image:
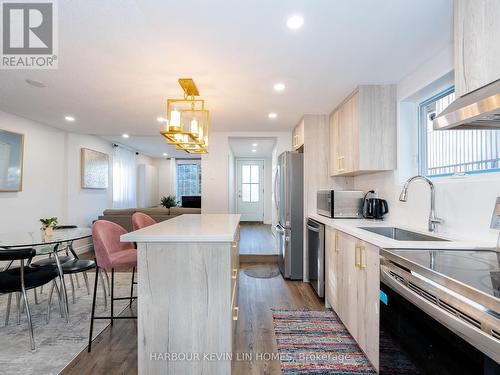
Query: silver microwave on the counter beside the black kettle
[340, 204]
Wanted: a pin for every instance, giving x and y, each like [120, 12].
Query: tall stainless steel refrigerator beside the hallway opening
[288, 190]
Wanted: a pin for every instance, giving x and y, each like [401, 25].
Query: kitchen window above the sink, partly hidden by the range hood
[448, 152]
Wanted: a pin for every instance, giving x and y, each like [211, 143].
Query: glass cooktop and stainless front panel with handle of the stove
[460, 289]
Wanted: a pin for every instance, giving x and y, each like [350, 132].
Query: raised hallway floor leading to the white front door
[257, 238]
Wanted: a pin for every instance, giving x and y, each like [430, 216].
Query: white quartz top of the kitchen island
[188, 228]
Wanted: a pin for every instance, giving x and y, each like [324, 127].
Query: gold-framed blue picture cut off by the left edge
[11, 161]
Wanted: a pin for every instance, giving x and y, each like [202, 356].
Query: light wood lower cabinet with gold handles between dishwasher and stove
[352, 288]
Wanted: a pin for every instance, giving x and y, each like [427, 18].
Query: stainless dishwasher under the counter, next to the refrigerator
[316, 255]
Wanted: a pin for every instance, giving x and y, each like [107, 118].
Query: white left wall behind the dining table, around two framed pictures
[51, 178]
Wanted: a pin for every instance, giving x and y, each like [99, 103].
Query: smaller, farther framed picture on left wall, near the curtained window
[94, 169]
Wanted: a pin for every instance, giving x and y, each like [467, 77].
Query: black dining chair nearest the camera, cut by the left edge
[20, 279]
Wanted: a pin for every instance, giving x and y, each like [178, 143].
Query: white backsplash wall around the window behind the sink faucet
[466, 203]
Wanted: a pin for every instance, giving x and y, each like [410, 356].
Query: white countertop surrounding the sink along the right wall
[351, 226]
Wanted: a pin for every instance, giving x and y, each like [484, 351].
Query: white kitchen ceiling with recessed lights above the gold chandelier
[119, 60]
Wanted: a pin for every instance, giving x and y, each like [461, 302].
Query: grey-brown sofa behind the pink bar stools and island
[123, 216]
